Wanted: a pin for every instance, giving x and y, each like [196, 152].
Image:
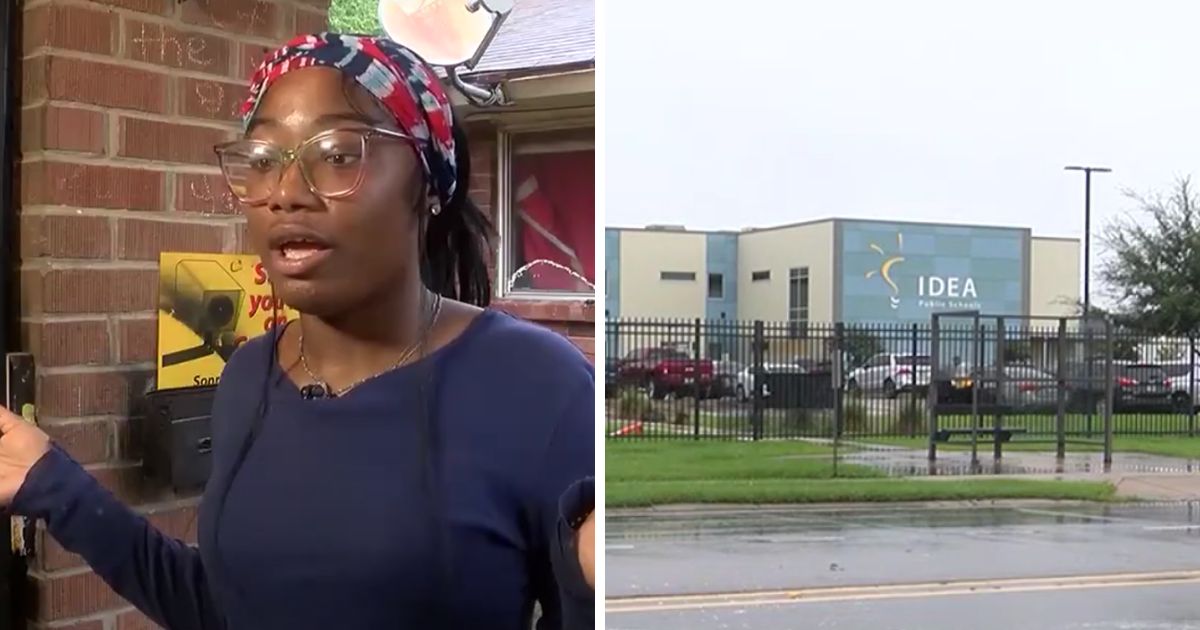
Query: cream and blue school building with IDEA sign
[839, 271]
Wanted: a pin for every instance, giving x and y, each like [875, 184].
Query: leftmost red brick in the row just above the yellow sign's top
[65, 237]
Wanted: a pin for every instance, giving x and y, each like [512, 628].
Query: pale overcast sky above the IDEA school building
[927, 111]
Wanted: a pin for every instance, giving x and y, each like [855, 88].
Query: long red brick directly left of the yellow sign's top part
[83, 291]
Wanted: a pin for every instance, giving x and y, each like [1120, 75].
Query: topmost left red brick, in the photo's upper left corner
[74, 28]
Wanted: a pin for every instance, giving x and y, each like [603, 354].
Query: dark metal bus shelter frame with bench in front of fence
[995, 380]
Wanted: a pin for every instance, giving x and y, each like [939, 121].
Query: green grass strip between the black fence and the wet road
[670, 472]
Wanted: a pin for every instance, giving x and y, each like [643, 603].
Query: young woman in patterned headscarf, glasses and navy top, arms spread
[403, 457]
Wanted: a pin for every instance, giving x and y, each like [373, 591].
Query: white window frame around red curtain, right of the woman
[505, 141]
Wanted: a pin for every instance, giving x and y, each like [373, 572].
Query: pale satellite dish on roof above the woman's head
[445, 33]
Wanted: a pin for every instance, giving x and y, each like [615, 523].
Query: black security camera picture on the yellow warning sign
[207, 299]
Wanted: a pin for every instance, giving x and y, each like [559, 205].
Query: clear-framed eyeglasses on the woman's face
[332, 163]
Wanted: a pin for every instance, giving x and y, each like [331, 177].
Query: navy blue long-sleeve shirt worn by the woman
[335, 520]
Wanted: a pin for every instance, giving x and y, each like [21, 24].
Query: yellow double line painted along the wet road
[879, 592]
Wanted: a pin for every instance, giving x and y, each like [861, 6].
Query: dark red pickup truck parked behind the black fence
[667, 371]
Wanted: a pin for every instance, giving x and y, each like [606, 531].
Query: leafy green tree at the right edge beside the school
[1153, 267]
